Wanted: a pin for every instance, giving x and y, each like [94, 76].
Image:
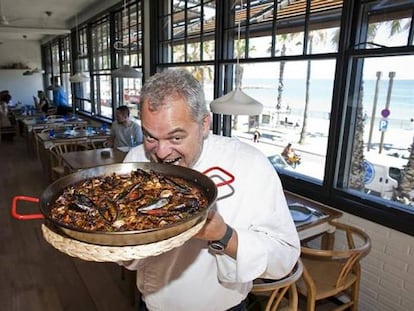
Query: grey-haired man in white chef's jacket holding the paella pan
[251, 229]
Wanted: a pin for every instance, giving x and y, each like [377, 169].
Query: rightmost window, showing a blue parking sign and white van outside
[378, 159]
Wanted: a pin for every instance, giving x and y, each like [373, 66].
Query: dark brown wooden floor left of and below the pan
[33, 275]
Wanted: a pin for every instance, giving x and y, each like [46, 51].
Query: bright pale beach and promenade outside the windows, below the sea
[313, 152]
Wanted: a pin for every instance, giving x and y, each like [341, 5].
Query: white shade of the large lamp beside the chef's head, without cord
[236, 103]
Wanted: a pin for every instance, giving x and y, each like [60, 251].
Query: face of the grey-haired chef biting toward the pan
[171, 135]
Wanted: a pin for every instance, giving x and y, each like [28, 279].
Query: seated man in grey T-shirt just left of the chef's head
[125, 132]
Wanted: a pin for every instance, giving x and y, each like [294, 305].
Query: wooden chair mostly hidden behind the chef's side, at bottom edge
[272, 293]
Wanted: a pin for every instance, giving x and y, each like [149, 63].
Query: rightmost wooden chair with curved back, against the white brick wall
[333, 269]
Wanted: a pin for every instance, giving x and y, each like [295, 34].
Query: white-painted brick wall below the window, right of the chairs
[387, 282]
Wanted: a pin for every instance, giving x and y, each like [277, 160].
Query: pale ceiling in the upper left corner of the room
[38, 19]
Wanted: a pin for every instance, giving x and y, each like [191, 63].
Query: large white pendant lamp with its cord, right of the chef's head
[236, 102]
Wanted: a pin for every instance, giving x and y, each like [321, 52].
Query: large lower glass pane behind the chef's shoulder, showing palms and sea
[293, 113]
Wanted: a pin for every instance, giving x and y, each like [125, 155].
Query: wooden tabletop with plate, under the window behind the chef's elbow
[318, 222]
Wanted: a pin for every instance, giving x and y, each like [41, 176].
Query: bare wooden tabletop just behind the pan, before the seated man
[77, 160]
